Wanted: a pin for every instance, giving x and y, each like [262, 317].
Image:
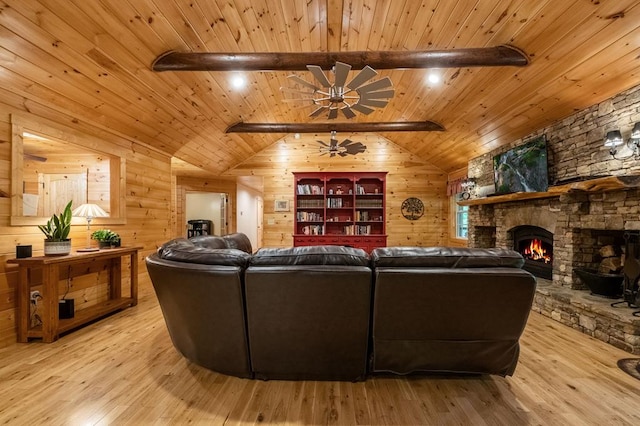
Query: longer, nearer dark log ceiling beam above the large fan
[297, 61]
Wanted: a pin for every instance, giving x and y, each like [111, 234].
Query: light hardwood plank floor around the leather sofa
[124, 370]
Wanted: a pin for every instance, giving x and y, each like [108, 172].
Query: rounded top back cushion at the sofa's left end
[183, 250]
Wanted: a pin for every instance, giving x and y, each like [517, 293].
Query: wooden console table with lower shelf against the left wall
[53, 268]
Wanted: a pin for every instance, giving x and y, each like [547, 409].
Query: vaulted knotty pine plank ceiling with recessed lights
[92, 60]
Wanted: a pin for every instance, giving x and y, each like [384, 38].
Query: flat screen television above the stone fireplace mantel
[522, 168]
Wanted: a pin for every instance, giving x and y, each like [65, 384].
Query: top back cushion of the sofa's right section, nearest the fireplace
[446, 257]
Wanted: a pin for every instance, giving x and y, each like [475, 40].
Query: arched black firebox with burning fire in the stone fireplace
[535, 244]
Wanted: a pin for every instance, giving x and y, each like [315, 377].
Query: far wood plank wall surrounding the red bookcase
[407, 177]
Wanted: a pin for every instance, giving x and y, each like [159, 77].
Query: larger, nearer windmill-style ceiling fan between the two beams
[346, 97]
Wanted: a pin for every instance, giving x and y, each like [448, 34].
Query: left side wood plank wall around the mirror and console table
[148, 195]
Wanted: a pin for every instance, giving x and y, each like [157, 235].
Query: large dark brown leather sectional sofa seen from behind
[336, 313]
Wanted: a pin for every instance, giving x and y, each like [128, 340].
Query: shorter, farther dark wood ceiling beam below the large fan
[407, 126]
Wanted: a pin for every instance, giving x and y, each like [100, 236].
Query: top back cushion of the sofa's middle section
[311, 255]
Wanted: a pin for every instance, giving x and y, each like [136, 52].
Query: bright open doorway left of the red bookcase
[208, 206]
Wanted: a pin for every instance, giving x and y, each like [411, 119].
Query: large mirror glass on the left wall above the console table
[52, 165]
